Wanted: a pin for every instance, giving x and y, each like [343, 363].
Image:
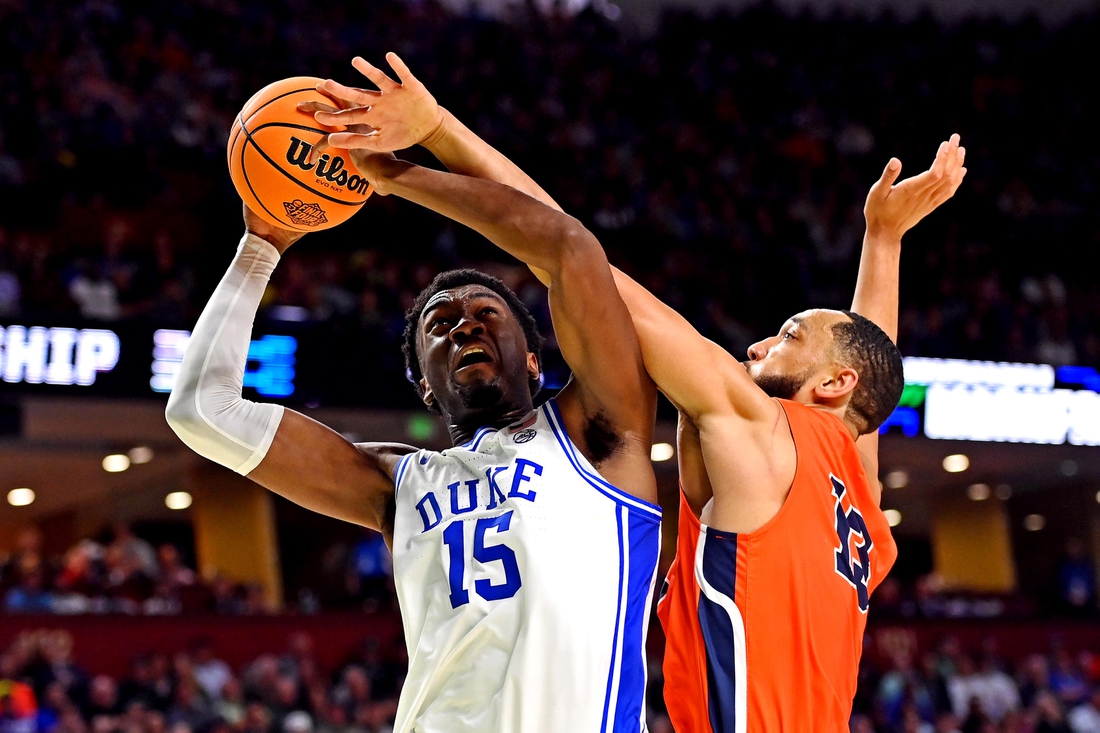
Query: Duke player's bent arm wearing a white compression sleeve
[281, 450]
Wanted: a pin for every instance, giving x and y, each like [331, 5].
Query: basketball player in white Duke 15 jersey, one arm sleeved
[525, 557]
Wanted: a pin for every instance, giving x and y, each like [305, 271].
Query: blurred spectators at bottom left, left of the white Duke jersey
[45, 691]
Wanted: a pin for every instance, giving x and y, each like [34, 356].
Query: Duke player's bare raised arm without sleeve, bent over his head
[592, 324]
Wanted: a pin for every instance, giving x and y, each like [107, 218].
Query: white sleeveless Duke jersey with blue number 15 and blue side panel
[525, 583]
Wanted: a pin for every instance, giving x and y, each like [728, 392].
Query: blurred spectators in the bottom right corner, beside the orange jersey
[955, 691]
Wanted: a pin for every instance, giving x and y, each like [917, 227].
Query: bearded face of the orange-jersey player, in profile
[784, 365]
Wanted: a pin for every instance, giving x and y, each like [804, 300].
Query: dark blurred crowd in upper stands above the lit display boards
[722, 160]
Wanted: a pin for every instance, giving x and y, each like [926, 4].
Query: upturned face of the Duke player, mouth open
[474, 354]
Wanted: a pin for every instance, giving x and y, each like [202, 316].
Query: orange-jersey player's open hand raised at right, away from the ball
[894, 209]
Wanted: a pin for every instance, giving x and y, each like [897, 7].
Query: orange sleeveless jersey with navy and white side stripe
[765, 630]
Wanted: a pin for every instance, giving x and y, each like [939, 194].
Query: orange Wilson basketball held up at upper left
[268, 150]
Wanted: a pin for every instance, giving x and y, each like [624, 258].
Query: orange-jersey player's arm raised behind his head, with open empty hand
[893, 210]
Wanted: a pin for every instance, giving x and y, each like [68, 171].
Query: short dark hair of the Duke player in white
[453, 279]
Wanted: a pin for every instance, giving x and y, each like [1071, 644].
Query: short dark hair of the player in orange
[866, 348]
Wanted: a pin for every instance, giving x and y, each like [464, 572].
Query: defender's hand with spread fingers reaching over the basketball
[399, 116]
